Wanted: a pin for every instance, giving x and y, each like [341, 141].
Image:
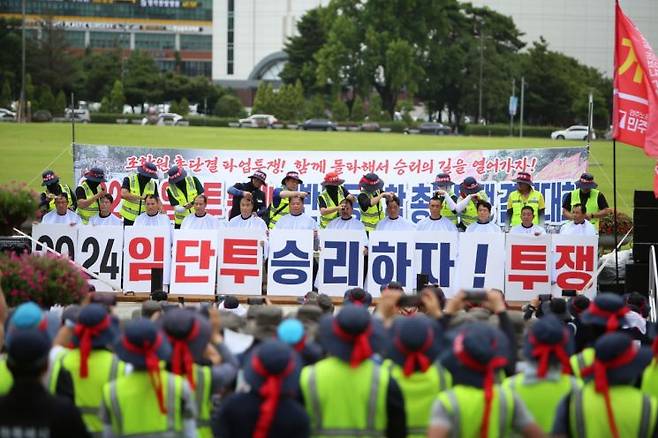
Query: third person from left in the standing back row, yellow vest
[134, 190]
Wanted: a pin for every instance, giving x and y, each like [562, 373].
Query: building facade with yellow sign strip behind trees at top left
[169, 30]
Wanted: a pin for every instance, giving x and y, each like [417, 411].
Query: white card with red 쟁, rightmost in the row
[575, 261]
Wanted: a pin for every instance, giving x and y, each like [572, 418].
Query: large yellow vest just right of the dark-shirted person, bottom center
[343, 401]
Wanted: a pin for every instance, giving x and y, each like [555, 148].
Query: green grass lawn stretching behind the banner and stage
[29, 149]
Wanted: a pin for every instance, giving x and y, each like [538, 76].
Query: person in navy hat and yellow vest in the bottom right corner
[609, 404]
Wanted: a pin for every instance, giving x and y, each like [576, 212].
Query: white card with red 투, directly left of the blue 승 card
[240, 261]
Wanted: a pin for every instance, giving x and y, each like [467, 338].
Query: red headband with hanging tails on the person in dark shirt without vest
[271, 393]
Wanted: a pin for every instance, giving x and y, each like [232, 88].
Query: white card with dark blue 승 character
[290, 265]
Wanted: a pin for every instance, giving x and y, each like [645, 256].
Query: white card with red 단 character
[194, 262]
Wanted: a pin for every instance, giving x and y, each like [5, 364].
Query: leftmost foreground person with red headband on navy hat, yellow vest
[91, 362]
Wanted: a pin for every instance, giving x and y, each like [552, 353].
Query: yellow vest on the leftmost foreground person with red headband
[103, 368]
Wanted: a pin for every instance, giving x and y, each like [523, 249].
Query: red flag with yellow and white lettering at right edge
[635, 100]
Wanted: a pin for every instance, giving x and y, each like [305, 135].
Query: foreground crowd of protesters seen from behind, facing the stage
[413, 365]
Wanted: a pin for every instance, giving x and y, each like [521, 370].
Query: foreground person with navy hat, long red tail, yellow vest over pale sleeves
[476, 405]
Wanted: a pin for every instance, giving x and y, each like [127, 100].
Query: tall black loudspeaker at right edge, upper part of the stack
[645, 225]
